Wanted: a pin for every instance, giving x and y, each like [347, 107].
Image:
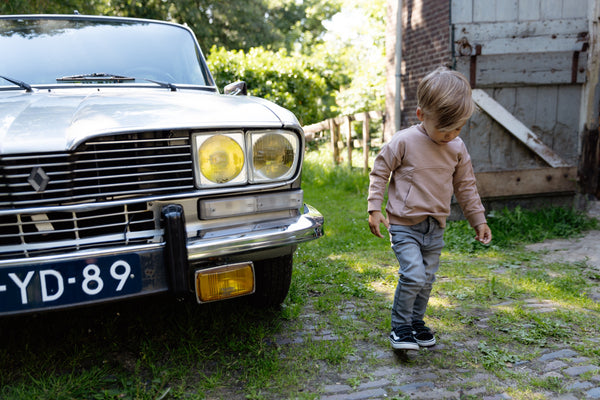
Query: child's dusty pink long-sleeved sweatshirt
[424, 175]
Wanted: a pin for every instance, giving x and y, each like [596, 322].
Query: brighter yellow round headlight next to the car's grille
[221, 159]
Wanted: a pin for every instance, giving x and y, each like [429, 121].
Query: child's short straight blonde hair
[444, 96]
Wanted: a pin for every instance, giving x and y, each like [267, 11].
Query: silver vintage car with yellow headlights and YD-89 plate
[125, 172]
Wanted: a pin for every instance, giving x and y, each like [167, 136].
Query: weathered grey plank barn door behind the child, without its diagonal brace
[530, 56]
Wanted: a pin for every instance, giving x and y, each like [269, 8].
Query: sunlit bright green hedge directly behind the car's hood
[290, 81]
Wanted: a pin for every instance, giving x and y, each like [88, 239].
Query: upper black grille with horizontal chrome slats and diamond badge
[102, 169]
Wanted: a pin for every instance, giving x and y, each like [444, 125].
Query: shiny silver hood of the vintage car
[60, 119]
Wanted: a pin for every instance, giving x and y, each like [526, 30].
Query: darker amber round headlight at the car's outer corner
[273, 156]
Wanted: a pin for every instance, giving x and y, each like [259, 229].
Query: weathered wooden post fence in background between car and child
[340, 128]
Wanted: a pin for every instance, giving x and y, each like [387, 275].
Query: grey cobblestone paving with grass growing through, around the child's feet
[377, 372]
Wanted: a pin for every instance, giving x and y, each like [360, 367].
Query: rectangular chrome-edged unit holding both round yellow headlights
[238, 158]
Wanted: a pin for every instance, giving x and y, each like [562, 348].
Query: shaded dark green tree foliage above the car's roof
[230, 24]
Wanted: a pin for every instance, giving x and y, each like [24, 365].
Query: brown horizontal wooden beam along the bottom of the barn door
[527, 182]
